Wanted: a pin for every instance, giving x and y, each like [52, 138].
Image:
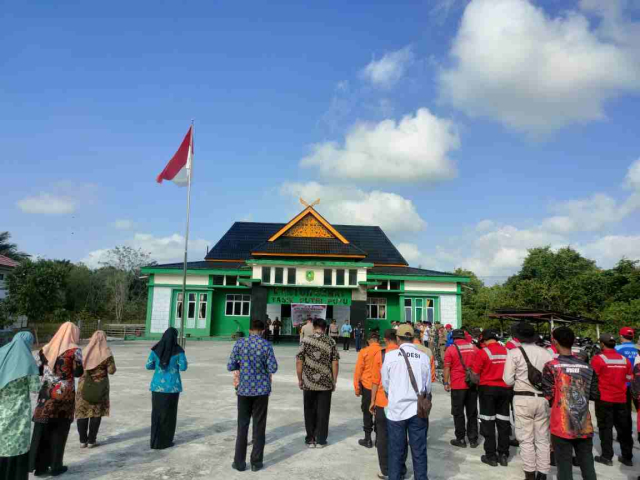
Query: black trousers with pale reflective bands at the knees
[494, 412]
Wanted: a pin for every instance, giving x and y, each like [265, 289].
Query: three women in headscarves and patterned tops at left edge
[51, 373]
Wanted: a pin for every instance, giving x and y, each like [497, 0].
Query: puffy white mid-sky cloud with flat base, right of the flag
[414, 149]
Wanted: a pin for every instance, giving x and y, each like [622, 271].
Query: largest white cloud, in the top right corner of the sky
[514, 63]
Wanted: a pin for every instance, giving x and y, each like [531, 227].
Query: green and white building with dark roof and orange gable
[305, 268]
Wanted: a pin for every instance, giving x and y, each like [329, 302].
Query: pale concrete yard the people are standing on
[207, 427]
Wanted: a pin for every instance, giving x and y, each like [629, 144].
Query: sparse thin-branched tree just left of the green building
[123, 267]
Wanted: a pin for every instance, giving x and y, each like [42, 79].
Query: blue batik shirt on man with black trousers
[253, 356]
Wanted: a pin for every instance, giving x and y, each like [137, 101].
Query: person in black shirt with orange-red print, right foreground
[568, 384]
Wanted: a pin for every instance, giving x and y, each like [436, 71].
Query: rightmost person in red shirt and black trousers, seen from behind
[614, 372]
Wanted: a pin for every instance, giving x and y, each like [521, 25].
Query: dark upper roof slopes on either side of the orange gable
[243, 238]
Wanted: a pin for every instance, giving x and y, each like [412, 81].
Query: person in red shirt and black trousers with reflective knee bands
[495, 396]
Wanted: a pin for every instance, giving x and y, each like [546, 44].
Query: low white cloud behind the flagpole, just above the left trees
[167, 249]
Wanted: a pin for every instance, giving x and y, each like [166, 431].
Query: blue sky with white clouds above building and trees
[470, 131]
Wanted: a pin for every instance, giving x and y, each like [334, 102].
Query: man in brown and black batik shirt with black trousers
[317, 365]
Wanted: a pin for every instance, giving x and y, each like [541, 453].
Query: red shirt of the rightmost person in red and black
[613, 371]
